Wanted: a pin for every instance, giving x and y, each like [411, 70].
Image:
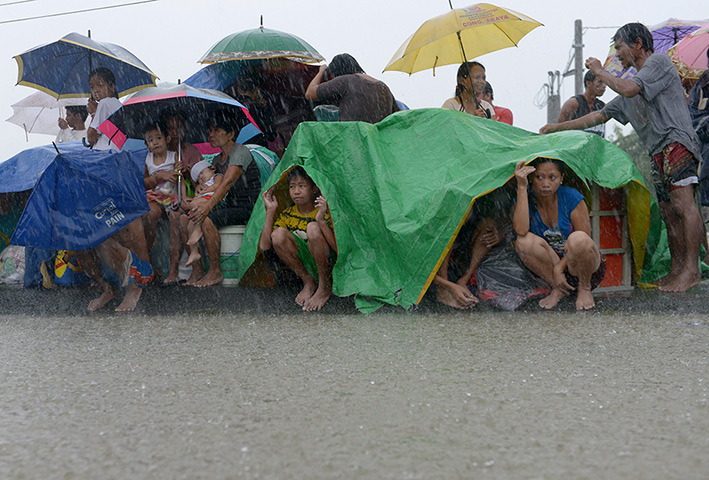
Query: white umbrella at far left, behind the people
[39, 112]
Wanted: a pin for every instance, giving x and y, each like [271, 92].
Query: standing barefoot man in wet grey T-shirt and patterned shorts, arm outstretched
[653, 102]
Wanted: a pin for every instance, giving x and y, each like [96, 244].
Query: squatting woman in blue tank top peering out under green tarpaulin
[554, 233]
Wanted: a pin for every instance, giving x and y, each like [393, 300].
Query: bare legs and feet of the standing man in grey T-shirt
[686, 236]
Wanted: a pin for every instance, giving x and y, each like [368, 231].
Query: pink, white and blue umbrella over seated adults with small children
[196, 104]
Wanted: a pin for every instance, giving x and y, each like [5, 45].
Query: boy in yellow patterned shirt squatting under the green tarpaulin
[301, 234]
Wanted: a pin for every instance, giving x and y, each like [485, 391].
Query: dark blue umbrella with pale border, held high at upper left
[61, 69]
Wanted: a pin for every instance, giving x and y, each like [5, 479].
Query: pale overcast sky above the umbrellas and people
[169, 36]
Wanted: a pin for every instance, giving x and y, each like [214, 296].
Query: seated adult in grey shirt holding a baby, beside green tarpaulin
[234, 198]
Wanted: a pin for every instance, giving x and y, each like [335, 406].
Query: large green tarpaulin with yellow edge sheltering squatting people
[400, 190]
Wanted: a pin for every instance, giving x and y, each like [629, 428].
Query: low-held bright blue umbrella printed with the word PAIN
[83, 198]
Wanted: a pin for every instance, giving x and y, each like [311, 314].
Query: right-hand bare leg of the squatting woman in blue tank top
[582, 259]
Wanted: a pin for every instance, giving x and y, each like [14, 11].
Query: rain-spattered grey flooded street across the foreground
[395, 395]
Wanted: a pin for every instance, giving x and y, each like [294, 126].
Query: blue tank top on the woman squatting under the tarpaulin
[567, 199]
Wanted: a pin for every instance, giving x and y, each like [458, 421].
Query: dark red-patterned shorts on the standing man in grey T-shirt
[673, 168]
